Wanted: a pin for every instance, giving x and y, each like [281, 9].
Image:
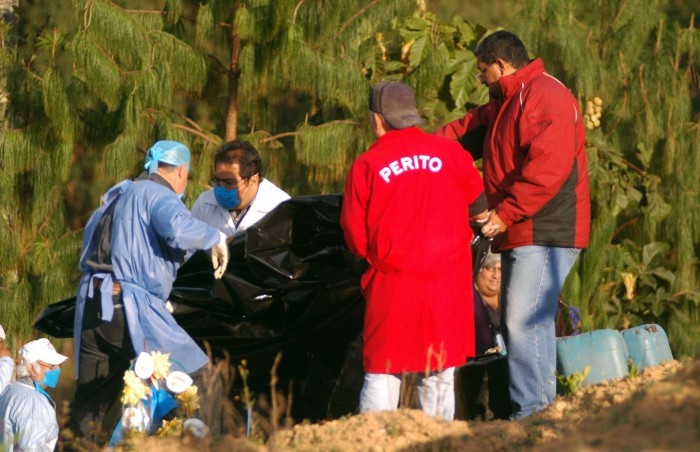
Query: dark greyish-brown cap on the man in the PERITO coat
[396, 103]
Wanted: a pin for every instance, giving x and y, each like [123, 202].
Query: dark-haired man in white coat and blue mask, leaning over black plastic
[240, 195]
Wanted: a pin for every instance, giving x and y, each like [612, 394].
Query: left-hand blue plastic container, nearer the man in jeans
[604, 352]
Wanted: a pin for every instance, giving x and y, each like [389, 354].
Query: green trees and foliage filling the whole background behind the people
[89, 93]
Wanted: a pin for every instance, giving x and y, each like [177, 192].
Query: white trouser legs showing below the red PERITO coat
[381, 392]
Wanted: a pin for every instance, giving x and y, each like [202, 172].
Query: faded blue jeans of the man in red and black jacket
[531, 281]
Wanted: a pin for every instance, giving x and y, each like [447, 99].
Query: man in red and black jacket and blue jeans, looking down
[536, 182]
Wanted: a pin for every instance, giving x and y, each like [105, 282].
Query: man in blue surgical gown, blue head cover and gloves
[132, 247]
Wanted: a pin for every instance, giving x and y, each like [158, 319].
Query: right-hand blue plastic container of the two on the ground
[647, 345]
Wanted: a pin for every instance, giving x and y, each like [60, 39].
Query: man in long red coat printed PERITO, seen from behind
[406, 209]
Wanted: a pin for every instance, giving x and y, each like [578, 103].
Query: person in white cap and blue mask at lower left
[27, 412]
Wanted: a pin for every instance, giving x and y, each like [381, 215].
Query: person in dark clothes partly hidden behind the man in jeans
[487, 286]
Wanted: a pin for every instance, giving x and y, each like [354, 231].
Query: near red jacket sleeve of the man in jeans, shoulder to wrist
[548, 134]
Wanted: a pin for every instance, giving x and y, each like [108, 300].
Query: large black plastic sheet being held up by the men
[291, 286]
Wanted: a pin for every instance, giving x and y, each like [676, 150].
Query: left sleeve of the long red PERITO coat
[353, 216]
